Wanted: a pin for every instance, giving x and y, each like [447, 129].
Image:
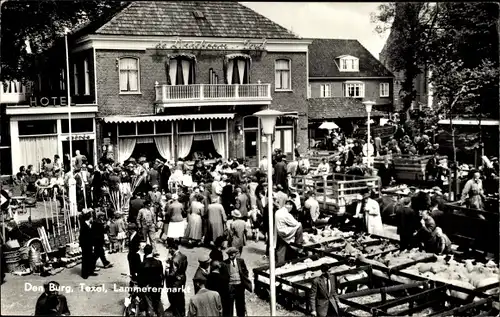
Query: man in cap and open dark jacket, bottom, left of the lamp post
[237, 272]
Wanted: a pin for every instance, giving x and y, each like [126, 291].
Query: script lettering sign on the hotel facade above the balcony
[180, 44]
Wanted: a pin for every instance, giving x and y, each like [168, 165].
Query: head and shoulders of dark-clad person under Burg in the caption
[51, 303]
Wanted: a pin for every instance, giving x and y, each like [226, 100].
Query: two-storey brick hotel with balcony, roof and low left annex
[168, 80]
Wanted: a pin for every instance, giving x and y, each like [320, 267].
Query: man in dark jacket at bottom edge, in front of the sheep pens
[323, 295]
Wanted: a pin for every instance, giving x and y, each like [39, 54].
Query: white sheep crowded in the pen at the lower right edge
[463, 274]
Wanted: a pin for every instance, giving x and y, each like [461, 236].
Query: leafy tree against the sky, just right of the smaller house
[412, 25]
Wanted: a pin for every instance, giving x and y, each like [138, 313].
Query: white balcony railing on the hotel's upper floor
[206, 92]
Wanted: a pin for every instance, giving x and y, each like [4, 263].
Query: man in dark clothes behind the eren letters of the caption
[151, 276]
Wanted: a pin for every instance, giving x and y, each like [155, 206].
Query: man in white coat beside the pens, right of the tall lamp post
[288, 230]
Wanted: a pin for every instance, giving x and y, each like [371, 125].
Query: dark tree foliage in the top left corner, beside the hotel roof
[38, 25]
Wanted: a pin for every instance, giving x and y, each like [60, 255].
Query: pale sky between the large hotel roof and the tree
[339, 20]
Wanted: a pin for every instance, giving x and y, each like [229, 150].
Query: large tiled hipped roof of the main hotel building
[188, 19]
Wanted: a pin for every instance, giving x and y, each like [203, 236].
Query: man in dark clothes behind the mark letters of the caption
[175, 279]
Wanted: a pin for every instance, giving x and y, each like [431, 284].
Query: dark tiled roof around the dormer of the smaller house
[323, 52]
